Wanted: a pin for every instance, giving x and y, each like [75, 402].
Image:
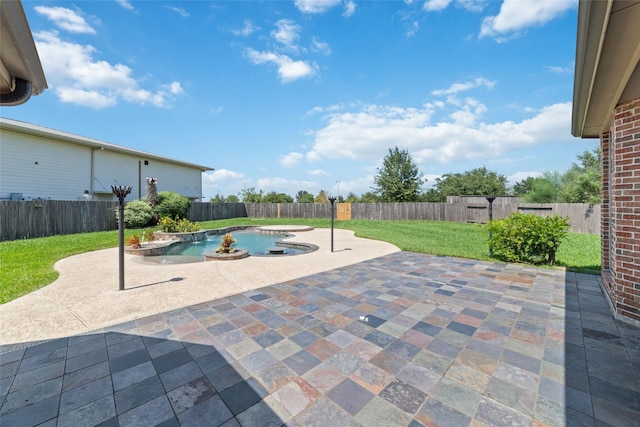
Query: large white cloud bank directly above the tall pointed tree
[367, 134]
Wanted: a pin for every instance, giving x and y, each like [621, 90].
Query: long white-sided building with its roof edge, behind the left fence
[43, 163]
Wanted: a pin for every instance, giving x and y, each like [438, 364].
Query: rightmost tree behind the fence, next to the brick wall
[581, 183]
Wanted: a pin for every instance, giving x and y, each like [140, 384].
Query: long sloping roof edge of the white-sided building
[31, 129]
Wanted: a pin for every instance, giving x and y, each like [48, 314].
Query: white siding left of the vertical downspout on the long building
[41, 168]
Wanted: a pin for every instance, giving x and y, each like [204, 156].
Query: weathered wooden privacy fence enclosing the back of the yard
[39, 218]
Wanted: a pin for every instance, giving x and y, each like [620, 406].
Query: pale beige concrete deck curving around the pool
[86, 297]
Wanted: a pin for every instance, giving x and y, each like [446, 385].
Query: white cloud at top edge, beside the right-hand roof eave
[517, 15]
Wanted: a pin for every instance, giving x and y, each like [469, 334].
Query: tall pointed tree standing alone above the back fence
[399, 179]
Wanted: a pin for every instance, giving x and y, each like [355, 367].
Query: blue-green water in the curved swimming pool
[255, 243]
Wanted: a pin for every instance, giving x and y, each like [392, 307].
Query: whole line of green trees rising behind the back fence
[400, 180]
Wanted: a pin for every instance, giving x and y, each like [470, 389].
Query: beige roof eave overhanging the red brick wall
[607, 72]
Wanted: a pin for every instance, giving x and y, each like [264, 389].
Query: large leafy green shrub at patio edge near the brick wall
[528, 238]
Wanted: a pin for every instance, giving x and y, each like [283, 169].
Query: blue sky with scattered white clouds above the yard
[310, 95]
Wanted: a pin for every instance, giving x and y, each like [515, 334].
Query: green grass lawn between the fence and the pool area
[27, 265]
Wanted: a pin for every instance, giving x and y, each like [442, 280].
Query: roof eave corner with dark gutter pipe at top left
[21, 73]
